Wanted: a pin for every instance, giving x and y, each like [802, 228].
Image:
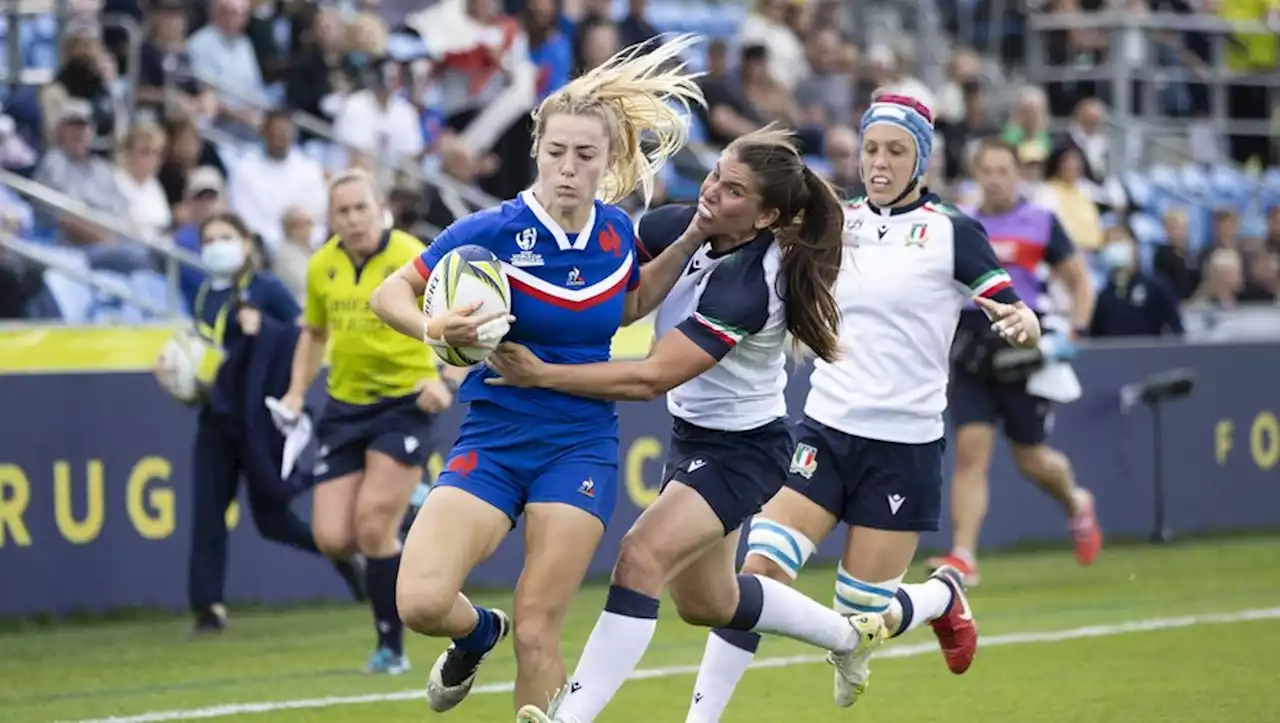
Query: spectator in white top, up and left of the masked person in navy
[136, 175]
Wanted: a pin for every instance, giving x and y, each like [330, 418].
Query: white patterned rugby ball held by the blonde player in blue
[469, 274]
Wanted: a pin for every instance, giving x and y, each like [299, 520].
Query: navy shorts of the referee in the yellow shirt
[396, 427]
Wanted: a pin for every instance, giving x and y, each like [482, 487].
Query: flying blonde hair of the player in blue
[643, 95]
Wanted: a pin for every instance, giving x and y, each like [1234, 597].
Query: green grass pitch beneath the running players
[1205, 674]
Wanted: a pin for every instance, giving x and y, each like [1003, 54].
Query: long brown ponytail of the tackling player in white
[812, 251]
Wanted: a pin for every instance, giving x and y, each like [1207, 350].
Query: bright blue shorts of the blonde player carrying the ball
[511, 461]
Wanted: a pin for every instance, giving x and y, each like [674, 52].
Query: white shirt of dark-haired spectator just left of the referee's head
[262, 189]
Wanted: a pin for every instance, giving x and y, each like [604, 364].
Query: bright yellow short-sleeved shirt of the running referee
[368, 360]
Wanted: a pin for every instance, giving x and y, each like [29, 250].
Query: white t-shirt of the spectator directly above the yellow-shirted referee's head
[386, 132]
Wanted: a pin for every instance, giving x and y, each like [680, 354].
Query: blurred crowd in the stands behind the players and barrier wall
[1148, 125]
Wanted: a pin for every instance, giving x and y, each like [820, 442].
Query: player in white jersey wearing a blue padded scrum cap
[870, 449]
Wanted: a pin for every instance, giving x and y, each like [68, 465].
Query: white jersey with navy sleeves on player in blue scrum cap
[906, 277]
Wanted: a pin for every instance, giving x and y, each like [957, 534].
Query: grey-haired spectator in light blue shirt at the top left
[222, 53]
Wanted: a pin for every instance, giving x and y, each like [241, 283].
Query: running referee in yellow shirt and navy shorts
[383, 390]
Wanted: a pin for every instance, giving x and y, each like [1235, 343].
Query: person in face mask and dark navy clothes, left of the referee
[250, 322]
